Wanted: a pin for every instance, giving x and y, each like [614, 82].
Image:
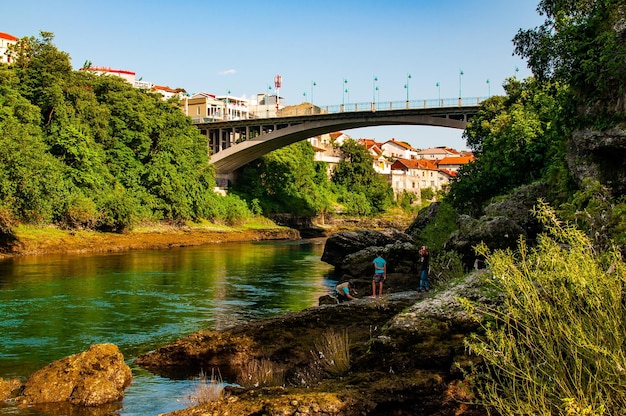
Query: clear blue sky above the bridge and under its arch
[217, 46]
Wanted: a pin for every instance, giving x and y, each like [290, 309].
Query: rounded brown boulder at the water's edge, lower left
[91, 378]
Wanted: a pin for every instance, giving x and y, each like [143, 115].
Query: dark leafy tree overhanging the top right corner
[581, 44]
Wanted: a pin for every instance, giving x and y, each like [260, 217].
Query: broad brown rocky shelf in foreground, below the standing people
[406, 357]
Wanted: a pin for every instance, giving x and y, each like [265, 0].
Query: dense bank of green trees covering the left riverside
[91, 151]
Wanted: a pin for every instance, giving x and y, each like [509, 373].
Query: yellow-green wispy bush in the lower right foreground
[558, 343]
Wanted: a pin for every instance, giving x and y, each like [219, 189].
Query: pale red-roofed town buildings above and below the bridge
[407, 169]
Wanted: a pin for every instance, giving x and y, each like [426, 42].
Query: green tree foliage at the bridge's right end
[516, 140]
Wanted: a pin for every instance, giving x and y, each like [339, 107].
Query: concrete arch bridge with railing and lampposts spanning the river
[234, 143]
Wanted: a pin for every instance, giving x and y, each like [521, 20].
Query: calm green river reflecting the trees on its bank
[58, 305]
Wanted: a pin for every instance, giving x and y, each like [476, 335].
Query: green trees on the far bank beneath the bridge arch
[289, 181]
